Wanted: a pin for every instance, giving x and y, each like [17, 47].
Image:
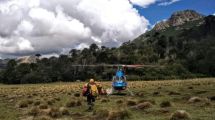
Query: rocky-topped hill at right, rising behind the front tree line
[187, 38]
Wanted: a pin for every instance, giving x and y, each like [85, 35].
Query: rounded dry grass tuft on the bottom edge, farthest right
[180, 115]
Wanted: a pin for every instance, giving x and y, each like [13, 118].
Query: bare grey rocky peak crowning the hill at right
[179, 18]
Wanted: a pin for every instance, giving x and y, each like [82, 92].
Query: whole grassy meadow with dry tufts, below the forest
[192, 99]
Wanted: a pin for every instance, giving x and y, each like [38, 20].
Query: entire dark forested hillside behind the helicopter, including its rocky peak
[184, 49]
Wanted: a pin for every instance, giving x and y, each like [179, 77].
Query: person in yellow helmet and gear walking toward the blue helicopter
[91, 92]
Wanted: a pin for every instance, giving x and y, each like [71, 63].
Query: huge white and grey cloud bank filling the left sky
[55, 26]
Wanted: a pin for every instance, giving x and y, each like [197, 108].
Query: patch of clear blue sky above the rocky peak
[156, 13]
